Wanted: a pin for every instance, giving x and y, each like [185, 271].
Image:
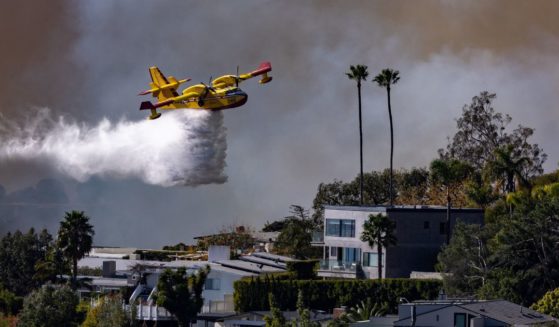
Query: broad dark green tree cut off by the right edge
[525, 248]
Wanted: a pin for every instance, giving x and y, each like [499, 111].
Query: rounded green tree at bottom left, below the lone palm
[50, 306]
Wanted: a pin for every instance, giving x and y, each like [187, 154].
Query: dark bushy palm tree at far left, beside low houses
[75, 238]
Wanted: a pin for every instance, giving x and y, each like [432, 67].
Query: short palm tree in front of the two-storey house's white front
[379, 231]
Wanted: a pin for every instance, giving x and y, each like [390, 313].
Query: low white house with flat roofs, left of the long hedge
[142, 277]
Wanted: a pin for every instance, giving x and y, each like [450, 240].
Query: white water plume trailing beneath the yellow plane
[180, 148]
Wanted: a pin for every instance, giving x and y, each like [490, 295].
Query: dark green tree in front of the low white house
[181, 294]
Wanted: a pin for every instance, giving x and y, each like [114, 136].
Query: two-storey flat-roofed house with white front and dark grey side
[420, 231]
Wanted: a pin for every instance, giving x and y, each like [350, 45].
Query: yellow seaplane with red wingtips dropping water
[221, 93]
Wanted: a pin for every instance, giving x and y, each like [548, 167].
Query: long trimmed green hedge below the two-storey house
[252, 294]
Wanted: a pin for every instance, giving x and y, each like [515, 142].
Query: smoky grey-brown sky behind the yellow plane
[86, 61]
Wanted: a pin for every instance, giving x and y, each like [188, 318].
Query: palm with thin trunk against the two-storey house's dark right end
[449, 173]
